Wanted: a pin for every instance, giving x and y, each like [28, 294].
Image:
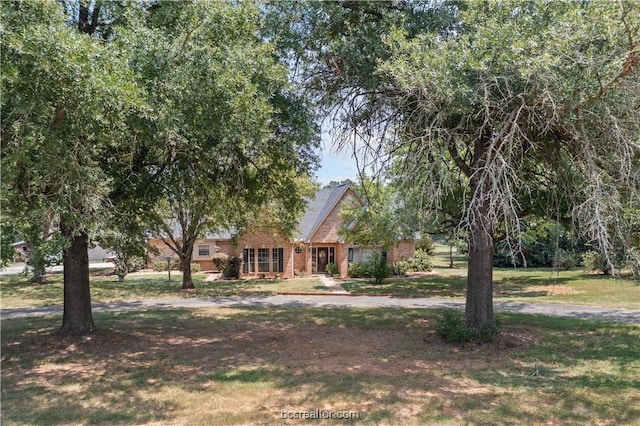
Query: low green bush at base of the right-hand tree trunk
[452, 328]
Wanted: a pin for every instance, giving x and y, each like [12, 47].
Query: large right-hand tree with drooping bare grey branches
[502, 96]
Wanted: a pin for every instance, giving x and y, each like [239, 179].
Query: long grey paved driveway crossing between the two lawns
[573, 311]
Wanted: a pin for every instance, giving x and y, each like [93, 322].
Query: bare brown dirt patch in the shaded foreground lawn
[303, 348]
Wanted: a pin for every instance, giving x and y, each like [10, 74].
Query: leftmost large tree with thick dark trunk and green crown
[67, 102]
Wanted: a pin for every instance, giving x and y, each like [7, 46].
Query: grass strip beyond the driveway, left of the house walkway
[17, 291]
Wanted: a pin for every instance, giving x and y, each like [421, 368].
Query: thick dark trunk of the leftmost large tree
[77, 319]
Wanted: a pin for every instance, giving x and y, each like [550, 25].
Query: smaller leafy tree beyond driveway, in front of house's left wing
[235, 133]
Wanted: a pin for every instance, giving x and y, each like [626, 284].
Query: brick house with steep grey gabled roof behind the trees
[269, 252]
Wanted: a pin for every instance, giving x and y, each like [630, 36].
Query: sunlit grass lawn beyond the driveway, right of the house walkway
[521, 285]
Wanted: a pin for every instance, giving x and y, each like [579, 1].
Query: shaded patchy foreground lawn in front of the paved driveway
[248, 366]
